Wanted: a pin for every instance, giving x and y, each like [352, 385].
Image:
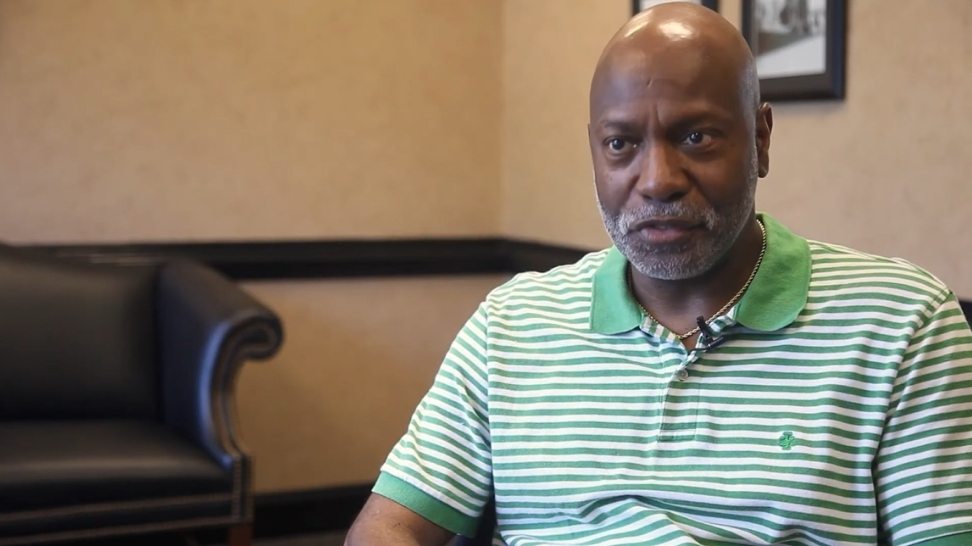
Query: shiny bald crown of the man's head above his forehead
[700, 45]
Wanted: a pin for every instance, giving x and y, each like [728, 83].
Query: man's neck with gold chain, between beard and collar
[678, 303]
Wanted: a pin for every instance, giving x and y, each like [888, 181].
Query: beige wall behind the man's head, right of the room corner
[883, 171]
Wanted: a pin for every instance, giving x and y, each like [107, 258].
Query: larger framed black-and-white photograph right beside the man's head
[799, 47]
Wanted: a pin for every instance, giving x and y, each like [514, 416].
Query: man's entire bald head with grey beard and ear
[678, 142]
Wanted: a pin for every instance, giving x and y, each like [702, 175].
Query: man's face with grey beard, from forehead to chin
[675, 159]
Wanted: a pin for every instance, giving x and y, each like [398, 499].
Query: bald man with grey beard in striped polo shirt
[713, 378]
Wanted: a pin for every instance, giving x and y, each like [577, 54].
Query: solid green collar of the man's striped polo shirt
[774, 299]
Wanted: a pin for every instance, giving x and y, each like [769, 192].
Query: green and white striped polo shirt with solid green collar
[836, 410]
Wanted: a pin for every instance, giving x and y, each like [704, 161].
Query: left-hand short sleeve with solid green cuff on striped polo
[441, 468]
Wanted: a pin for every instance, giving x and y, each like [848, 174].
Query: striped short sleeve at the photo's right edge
[923, 470]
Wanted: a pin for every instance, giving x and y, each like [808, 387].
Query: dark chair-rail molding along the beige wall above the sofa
[250, 260]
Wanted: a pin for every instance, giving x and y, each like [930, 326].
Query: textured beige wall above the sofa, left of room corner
[227, 119]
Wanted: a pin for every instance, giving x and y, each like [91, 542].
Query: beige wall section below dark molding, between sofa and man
[358, 356]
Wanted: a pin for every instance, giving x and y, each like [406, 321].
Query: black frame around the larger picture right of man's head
[826, 84]
